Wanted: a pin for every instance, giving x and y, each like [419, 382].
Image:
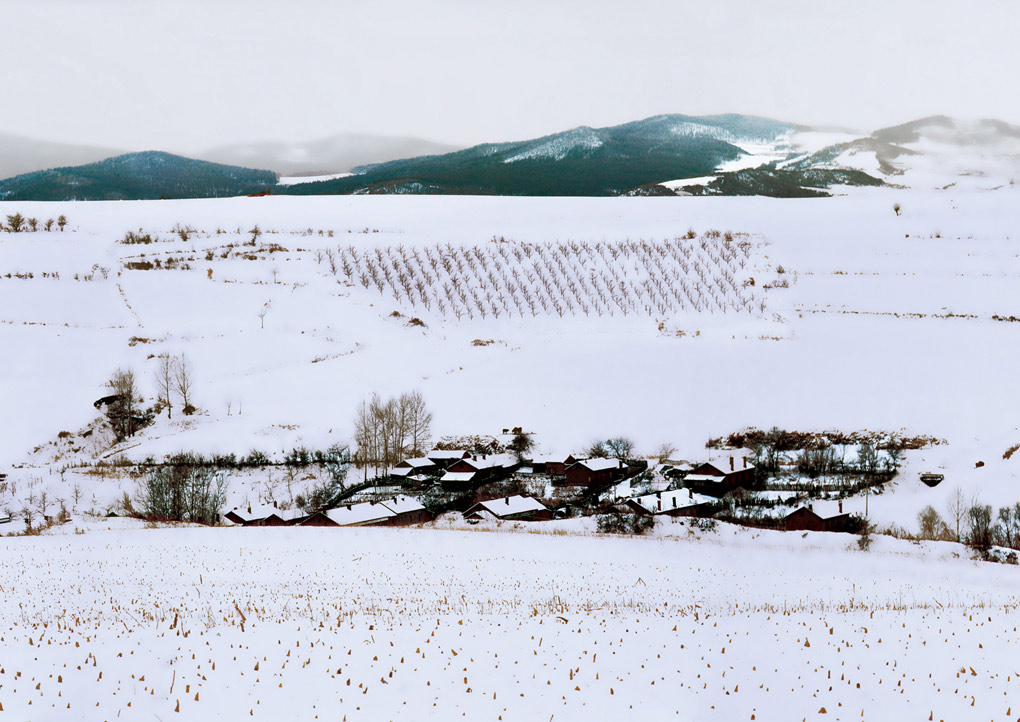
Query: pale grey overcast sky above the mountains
[187, 75]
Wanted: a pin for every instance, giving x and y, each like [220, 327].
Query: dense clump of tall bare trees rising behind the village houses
[387, 432]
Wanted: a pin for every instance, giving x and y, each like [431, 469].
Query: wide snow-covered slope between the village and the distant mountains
[859, 320]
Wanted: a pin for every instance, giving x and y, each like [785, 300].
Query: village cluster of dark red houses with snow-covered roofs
[458, 485]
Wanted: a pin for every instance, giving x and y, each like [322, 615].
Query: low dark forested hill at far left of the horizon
[148, 176]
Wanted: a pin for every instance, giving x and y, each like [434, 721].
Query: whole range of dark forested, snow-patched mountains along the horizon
[666, 156]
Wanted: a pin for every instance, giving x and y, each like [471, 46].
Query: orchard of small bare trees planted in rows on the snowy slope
[704, 274]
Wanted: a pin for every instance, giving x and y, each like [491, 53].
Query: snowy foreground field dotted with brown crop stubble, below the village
[379, 625]
